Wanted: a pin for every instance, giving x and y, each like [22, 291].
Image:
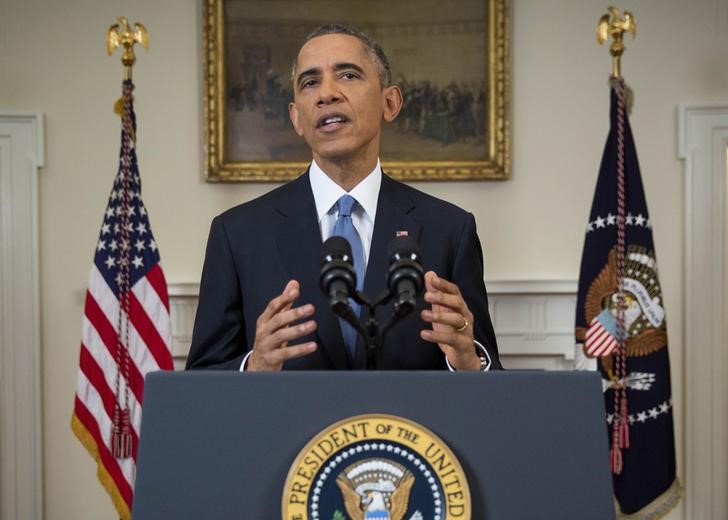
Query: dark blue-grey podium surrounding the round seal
[219, 445]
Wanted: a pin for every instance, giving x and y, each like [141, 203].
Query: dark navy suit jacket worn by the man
[255, 248]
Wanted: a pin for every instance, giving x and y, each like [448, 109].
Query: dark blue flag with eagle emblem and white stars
[621, 328]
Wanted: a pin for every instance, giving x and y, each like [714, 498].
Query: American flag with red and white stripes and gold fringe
[126, 329]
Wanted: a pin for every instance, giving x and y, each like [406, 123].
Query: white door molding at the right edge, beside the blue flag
[703, 141]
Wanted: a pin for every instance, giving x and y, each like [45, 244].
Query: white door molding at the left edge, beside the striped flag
[21, 155]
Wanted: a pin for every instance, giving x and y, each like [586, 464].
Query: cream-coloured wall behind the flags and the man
[52, 59]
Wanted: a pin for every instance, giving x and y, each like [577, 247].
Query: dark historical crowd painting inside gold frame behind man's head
[439, 55]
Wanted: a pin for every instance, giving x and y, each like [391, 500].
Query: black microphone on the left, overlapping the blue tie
[338, 278]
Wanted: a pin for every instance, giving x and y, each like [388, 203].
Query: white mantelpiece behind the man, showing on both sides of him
[533, 319]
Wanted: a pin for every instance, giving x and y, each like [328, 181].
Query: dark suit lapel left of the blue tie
[299, 242]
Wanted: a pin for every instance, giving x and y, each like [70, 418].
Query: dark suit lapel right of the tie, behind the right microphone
[393, 208]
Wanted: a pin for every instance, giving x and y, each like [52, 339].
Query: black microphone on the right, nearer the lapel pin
[405, 277]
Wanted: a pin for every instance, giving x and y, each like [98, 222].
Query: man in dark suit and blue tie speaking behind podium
[342, 95]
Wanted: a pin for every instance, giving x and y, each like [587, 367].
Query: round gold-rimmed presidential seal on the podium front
[376, 467]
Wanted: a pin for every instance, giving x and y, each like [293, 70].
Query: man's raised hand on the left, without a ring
[273, 331]
